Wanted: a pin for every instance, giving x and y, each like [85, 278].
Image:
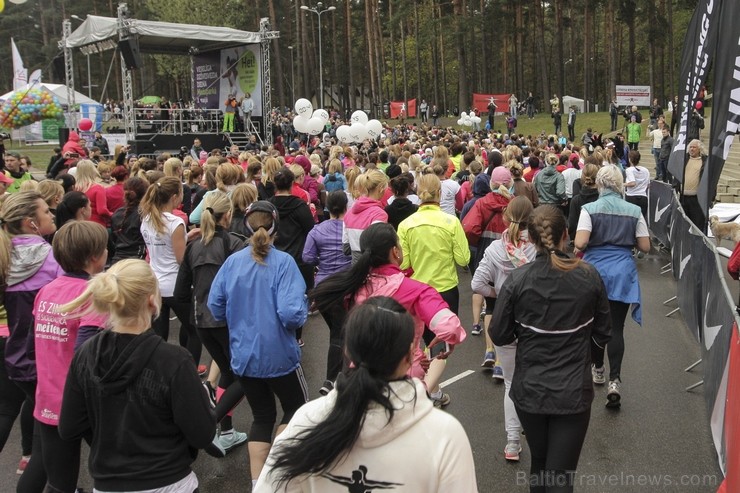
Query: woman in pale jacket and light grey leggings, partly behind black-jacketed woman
[502, 256]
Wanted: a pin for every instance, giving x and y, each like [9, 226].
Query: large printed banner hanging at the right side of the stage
[233, 71]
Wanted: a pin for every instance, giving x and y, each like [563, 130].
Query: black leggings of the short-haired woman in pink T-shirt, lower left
[53, 458]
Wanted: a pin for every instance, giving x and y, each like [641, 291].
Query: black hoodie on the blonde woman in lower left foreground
[141, 403]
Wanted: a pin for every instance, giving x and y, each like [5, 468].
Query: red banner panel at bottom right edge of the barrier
[732, 416]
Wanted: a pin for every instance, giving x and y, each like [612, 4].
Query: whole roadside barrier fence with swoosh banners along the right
[709, 312]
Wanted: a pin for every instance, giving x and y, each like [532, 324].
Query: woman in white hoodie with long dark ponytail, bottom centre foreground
[365, 434]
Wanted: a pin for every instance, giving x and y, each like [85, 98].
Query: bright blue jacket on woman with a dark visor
[263, 306]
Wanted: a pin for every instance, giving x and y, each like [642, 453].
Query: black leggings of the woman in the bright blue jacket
[290, 389]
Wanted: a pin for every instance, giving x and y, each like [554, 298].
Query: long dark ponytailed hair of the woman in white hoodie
[378, 336]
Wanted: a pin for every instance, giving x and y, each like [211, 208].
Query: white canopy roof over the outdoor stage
[161, 37]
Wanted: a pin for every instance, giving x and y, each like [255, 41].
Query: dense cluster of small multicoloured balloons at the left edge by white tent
[25, 107]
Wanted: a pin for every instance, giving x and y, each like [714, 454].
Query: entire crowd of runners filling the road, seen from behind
[240, 245]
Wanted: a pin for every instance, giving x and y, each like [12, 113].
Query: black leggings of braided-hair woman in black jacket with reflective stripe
[555, 443]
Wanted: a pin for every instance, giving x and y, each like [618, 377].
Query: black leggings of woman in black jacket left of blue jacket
[216, 341]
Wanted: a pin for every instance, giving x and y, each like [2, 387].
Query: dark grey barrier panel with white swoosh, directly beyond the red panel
[718, 318]
